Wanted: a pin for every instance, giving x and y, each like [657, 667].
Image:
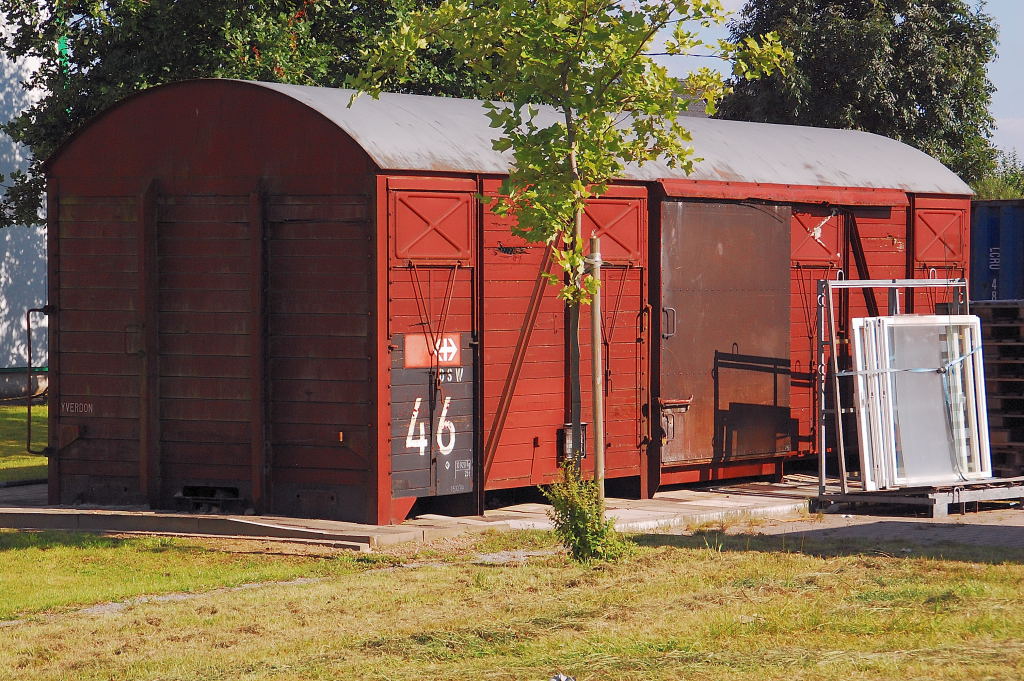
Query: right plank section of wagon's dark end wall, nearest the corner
[321, 373]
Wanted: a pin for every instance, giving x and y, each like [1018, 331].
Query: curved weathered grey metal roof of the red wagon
[416, 133]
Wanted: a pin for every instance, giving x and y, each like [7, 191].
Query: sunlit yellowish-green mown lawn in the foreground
[704, 607]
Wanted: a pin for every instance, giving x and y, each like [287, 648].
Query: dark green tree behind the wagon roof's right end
[911, 70]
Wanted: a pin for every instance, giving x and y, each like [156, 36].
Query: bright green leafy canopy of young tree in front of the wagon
[591, 62]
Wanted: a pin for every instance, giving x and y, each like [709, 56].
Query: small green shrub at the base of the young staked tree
[578, 514]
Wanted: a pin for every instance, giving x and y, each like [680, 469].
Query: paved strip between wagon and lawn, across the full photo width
[774, 508]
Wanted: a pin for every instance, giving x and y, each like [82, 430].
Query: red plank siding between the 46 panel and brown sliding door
[528, 450]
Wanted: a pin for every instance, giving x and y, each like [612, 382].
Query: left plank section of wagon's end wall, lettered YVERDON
[97, 348]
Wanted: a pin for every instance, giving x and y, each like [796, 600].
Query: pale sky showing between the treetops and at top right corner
[1007, 73]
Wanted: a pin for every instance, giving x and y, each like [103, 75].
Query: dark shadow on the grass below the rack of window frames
[885, 539]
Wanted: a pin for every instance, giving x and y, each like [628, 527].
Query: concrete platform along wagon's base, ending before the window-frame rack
[25, 508]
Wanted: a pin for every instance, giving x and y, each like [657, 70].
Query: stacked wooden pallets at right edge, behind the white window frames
[1003, 340]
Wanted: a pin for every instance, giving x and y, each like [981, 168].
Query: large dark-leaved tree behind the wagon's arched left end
[117, 49]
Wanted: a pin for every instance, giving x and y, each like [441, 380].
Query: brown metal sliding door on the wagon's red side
[726, 332]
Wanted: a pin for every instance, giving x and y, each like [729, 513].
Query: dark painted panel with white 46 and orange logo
[433, 417]
